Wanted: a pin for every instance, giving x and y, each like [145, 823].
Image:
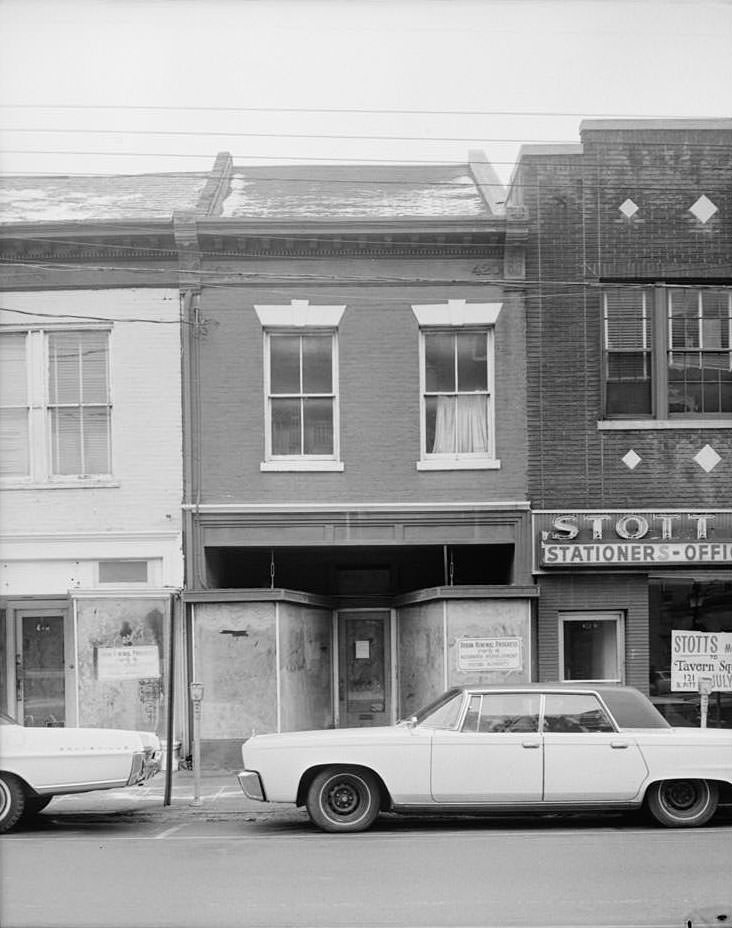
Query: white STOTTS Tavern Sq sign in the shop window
[701, 657]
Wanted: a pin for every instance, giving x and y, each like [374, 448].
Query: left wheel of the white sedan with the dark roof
[343, 799]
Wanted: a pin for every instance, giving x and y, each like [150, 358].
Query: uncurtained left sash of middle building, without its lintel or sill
[301, 395]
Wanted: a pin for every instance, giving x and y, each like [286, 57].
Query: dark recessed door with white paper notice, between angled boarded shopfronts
[364, 684]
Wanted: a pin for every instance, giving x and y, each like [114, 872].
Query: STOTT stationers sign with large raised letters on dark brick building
[615, 538]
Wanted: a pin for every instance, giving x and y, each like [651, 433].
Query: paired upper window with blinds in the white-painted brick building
[55, 407]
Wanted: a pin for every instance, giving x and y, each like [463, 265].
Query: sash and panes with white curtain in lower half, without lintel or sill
[457, 397]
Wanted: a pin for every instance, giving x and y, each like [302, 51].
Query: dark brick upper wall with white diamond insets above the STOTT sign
[577, 237]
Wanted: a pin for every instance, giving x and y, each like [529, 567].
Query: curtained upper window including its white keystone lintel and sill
[457, 385]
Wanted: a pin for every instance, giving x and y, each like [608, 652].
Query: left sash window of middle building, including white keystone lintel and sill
[301, 386]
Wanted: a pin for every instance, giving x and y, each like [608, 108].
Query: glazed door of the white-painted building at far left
[40, 683]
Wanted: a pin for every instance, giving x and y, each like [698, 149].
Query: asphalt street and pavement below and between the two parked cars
[120, 858]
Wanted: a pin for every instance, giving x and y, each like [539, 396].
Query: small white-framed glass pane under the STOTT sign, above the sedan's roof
[591, 646]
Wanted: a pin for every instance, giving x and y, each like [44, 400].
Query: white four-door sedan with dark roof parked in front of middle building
[531, 748]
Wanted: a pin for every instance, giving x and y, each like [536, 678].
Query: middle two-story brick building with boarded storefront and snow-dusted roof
[357, 510]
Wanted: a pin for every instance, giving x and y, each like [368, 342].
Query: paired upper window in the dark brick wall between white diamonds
[668, 353]
